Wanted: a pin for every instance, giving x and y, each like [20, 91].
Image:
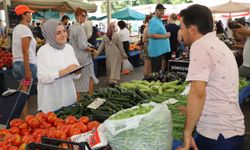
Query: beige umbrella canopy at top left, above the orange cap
[55, 5]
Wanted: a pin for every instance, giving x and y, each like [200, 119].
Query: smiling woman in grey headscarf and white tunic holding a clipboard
[55, 59]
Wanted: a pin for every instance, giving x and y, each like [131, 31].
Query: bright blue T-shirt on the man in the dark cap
[157, 47]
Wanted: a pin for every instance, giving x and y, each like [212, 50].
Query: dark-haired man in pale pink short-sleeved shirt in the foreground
[212, 104]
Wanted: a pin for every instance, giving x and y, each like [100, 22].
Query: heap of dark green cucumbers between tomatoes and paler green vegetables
[116, 100]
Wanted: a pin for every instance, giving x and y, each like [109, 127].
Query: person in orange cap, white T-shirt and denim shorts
[24, 50]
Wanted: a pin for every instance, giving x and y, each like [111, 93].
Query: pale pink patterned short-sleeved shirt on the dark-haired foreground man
[213, 62]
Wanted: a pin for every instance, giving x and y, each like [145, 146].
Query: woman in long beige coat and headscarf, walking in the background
[114, 54]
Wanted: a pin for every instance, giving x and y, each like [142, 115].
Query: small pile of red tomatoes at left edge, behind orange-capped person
[5, 59]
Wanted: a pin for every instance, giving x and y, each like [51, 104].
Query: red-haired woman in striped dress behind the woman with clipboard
[83, 52]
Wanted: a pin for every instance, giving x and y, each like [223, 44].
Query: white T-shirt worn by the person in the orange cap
[19, 32]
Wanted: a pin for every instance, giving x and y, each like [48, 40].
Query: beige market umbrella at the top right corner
[231, 7]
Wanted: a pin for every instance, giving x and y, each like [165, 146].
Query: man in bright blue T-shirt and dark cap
[158, 39]
